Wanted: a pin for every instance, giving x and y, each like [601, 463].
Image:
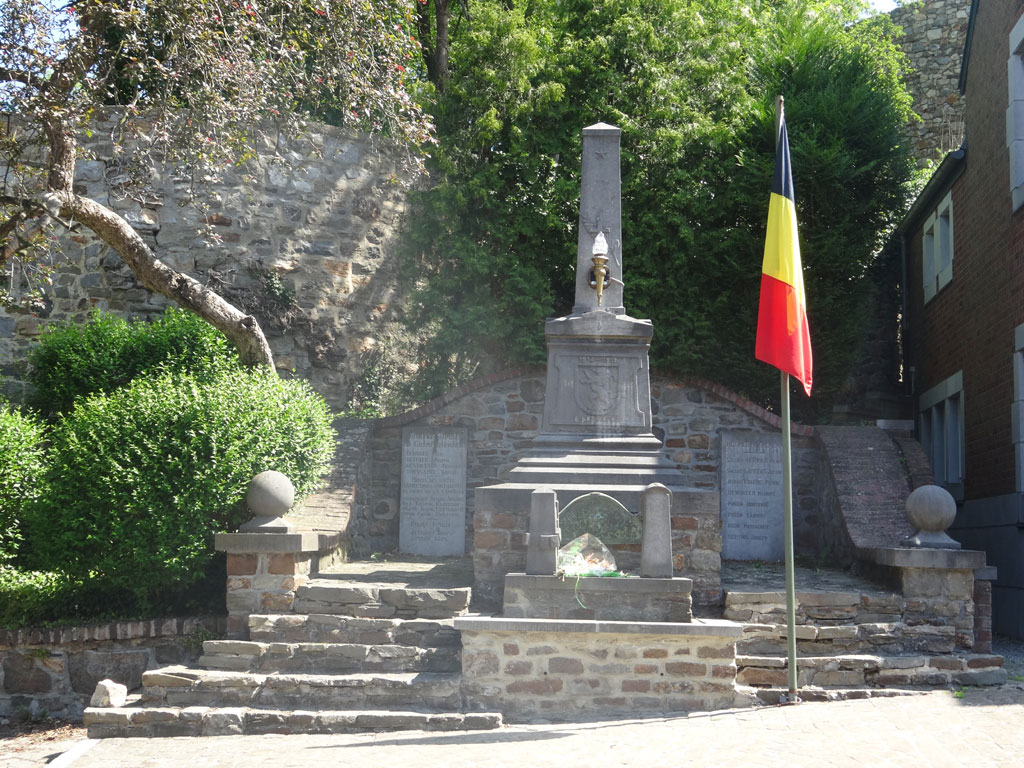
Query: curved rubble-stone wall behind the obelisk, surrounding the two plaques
[502, 414]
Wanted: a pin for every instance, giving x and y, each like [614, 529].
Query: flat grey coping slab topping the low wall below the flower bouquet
[697, 628]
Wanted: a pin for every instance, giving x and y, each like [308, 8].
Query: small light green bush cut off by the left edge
[21, 467]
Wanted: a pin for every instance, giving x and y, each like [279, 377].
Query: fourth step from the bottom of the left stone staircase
[327, 628]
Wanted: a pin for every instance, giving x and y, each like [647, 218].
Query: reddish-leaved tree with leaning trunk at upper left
[199, 84]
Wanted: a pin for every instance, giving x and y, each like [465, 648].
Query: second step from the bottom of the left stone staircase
[183, 687]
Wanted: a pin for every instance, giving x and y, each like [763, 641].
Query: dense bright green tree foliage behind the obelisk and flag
[693, 87]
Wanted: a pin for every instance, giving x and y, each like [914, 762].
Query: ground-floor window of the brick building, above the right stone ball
[941, 429]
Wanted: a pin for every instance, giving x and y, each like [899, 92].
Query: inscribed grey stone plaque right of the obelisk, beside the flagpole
[752, 497]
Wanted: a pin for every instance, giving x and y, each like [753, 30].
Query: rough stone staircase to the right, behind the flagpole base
[854, 641]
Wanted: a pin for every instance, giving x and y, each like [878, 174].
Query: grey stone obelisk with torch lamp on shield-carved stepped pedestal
[596, 433]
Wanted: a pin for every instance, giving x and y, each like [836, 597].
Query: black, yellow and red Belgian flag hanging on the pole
[784, 337]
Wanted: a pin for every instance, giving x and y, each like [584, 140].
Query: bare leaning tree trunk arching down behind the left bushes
[243, 330]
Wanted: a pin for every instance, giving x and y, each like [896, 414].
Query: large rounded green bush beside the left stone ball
[141, 480]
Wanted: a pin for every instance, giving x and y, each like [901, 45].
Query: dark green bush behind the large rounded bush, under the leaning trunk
[107, 353]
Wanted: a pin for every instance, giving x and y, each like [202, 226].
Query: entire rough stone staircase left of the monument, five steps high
[364, 651]
